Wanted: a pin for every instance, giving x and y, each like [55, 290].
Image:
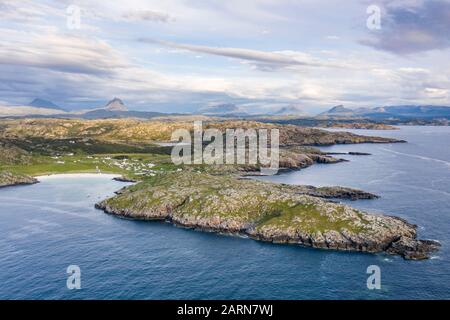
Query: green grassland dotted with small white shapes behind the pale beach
[40, 156]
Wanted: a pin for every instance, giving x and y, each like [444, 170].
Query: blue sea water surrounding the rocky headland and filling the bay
[44, 228]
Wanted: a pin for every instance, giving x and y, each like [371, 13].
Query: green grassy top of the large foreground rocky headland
[244, 201]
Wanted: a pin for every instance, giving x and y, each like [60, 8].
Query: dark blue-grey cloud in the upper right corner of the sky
[414, 27]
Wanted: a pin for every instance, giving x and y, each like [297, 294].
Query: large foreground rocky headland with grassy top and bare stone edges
[267, 212]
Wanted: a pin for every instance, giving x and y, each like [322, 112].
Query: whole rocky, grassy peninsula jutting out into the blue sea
[208, 197]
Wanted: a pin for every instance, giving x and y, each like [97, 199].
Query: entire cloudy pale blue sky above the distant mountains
[182, 56]
